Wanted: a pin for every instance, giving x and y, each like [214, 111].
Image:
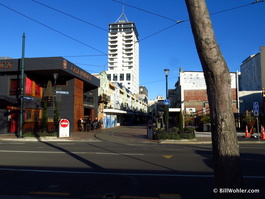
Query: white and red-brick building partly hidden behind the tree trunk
[191, 95]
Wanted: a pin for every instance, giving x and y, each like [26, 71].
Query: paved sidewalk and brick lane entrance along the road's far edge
[125, 135]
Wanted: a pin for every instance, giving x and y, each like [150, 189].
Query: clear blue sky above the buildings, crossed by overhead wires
[239, 32]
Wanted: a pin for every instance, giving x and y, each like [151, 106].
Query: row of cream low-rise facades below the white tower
[118, 105]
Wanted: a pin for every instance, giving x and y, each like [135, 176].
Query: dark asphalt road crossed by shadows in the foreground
[108, 170]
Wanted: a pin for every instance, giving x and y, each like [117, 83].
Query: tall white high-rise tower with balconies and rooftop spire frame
[123, 54]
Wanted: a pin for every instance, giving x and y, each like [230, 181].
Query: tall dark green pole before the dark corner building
[22, 82]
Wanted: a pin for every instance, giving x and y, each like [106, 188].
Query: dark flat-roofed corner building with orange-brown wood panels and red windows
[74, 91]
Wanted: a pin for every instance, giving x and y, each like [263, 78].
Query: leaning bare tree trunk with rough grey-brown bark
[226, 157]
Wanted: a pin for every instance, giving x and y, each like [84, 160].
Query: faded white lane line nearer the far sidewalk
[62, 152]
